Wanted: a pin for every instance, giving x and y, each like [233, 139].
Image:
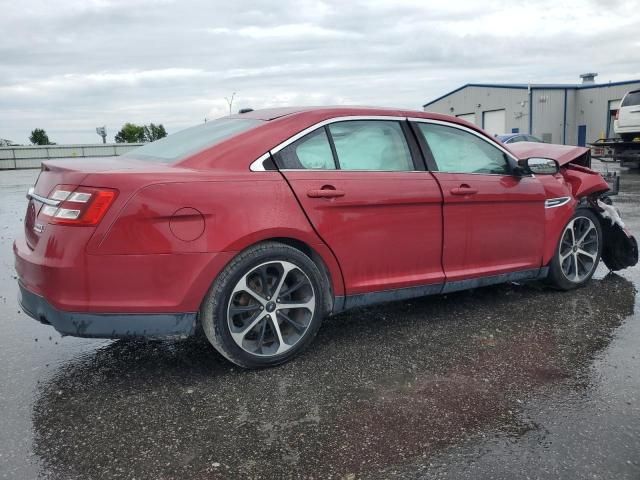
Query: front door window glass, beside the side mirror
[458, 151]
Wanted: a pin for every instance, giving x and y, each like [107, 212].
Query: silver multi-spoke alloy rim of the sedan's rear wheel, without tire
[271, 308]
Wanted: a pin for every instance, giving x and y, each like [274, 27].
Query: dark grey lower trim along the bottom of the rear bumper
[107, 325]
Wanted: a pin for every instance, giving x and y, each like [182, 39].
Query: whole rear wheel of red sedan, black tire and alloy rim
[265, 307]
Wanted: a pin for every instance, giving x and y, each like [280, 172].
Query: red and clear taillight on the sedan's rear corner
[78, 205]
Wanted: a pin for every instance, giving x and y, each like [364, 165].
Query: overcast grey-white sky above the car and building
[70, 65]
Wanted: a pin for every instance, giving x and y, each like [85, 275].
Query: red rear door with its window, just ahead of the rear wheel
[370, 200]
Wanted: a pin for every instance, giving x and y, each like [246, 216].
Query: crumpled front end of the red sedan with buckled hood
[590, 190]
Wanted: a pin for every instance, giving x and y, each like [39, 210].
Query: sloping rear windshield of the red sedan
[192, 140]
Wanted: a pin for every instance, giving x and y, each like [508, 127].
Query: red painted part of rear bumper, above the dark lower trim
[71, 280]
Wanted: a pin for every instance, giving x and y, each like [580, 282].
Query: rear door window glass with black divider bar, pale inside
[377, 145]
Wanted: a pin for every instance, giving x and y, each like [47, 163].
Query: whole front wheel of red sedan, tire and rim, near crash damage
[565, 275]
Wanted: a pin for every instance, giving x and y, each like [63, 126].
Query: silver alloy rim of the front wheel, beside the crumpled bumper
[579, 249]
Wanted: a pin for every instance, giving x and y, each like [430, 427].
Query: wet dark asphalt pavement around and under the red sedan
[511, 381]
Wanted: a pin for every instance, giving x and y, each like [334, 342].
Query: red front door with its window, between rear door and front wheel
[493, 220]
